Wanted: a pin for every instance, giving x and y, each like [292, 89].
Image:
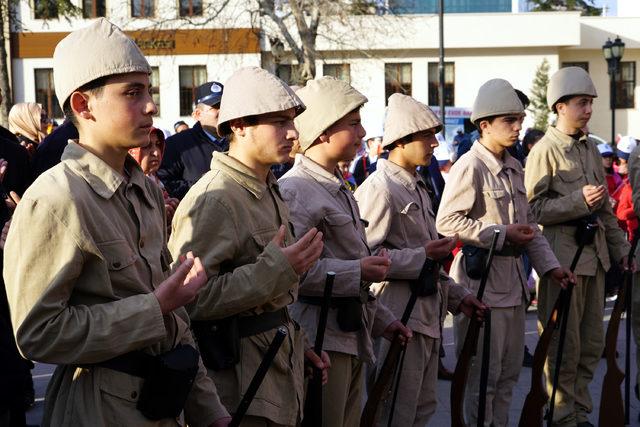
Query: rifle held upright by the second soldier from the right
[458, 384]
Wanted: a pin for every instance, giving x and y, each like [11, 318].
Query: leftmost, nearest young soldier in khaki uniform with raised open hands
[86, 263]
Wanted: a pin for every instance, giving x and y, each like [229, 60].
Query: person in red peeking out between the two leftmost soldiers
[149, 158]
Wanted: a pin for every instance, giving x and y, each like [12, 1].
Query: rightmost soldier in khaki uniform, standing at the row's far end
[565, 181]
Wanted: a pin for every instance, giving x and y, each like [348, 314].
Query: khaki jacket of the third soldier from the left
[320, 199]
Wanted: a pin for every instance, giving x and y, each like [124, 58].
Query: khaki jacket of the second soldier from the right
[485, 194]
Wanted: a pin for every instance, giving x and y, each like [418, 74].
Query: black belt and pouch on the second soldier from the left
[219, 340]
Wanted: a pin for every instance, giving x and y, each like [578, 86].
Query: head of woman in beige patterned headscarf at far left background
[28, 121]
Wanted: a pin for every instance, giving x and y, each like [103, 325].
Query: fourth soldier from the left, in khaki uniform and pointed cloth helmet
[395, 202]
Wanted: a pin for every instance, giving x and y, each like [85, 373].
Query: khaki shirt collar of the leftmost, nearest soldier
[99, 175]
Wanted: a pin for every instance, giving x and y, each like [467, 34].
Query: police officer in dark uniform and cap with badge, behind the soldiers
[188, 153]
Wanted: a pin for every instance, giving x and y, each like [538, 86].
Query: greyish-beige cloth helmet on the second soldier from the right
[496, 98]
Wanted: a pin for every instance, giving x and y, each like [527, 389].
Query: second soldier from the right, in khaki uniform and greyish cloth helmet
[489, 194]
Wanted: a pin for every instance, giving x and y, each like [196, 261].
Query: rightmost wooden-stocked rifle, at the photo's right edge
[611, 402]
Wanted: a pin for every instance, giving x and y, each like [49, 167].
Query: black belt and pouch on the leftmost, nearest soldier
[168, 379]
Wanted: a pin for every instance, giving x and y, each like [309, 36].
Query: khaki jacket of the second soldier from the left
[228, 219]
